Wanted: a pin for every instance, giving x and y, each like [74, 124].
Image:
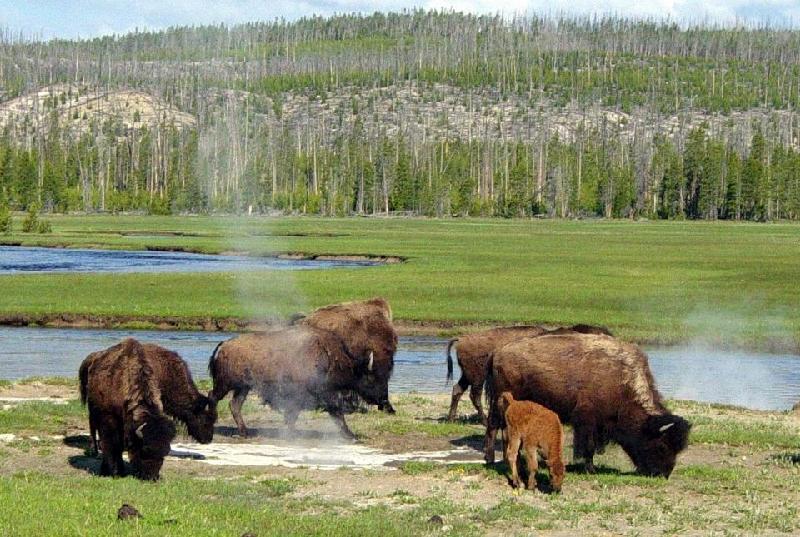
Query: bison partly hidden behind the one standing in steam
[366, 329]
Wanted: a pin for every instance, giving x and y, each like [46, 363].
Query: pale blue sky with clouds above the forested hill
[90, 18]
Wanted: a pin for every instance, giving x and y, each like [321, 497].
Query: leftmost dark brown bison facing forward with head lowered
[120, 389]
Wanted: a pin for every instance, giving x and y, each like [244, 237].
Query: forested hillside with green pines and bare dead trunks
[420, 112]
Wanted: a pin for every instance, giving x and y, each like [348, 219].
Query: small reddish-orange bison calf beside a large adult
[534, 428]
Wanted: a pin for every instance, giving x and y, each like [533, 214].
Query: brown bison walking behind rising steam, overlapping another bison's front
[293, 369]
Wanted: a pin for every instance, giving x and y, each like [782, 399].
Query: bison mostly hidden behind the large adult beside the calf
[473, 351]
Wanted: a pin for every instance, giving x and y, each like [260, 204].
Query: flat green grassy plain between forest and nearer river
[648, 281]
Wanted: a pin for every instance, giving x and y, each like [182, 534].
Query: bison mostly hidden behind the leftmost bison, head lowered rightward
[180, 397]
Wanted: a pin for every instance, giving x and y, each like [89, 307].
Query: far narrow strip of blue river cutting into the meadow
[19, 259]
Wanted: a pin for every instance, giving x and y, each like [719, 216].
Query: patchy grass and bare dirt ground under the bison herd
[739, 476]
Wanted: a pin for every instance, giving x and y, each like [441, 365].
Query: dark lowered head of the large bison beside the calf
[662, 438]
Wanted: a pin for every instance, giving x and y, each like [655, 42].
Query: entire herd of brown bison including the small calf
[341, 356]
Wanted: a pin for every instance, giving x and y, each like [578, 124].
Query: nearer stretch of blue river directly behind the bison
[754, 380]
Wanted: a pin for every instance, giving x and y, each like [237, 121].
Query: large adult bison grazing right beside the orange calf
[602, 386]
